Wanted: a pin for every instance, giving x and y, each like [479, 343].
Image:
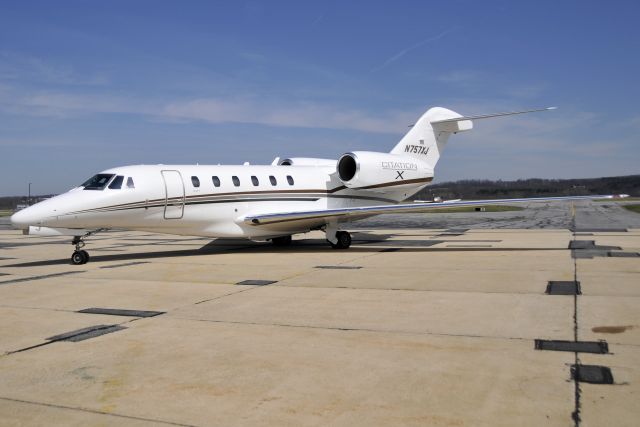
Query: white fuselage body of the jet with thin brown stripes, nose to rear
[209, 211]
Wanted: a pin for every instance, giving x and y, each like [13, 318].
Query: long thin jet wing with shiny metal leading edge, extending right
[353, 213]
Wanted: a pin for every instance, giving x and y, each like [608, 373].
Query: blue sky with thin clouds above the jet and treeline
[88, 85]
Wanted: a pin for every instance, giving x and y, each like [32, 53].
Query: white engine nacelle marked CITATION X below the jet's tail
[371, 170]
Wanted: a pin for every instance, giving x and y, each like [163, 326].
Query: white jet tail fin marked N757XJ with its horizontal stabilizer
[427, 138]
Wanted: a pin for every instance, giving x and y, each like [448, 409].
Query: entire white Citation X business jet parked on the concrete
[270, 202]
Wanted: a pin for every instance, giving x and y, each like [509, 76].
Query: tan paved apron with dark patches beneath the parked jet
[429, 325]
